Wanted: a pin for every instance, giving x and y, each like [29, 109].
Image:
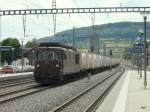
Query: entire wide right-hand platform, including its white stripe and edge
[128, 95]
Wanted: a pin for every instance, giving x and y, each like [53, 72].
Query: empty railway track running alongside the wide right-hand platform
[74, 103]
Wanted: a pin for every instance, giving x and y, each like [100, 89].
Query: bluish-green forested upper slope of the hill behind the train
[120, 30]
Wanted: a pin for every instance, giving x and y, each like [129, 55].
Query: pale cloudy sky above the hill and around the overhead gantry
[42, 25]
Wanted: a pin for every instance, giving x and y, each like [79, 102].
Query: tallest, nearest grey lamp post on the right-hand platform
[145, 14]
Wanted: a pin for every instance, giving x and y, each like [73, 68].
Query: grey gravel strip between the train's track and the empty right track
[48, 99]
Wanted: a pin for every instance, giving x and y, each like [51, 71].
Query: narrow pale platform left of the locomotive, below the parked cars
[15, 75]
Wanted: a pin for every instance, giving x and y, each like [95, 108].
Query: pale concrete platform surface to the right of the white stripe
[138, 97]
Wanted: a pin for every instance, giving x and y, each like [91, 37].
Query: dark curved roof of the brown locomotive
[55, 45]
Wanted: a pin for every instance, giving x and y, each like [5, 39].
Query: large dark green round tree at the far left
[8, 55]
